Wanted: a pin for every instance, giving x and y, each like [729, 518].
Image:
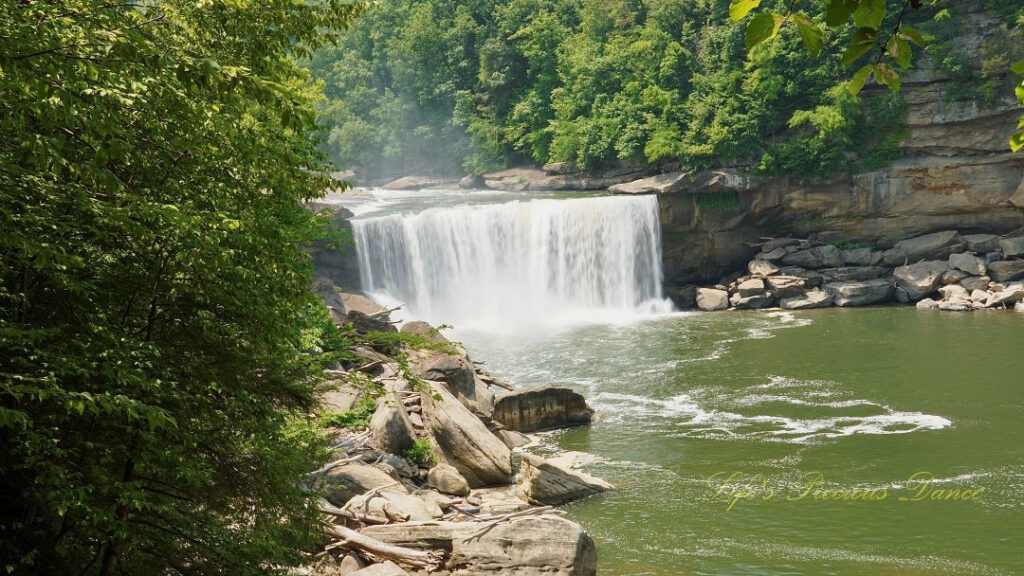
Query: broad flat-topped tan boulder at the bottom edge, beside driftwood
[523, 547]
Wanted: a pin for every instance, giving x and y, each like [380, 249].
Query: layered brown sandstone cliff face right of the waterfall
[957, 174]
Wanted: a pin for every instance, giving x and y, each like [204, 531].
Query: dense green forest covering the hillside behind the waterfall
[444, 87]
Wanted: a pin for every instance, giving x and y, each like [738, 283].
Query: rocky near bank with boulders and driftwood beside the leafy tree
[433, 473]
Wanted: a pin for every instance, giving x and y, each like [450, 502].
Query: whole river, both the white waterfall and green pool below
[884, 441]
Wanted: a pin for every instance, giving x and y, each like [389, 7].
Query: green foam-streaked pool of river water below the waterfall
[865, 398]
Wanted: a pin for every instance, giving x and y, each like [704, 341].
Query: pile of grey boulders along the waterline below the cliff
[944, 270]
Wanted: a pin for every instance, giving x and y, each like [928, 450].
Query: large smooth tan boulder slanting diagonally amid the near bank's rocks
[463, 440]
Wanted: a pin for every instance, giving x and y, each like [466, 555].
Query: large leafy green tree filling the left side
[155, 304]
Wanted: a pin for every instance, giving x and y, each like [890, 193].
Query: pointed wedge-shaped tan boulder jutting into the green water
[545, 483]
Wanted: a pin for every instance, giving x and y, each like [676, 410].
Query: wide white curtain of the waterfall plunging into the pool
[519, 263]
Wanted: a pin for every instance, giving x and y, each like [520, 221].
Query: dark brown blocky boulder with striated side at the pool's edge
[531, 409]
